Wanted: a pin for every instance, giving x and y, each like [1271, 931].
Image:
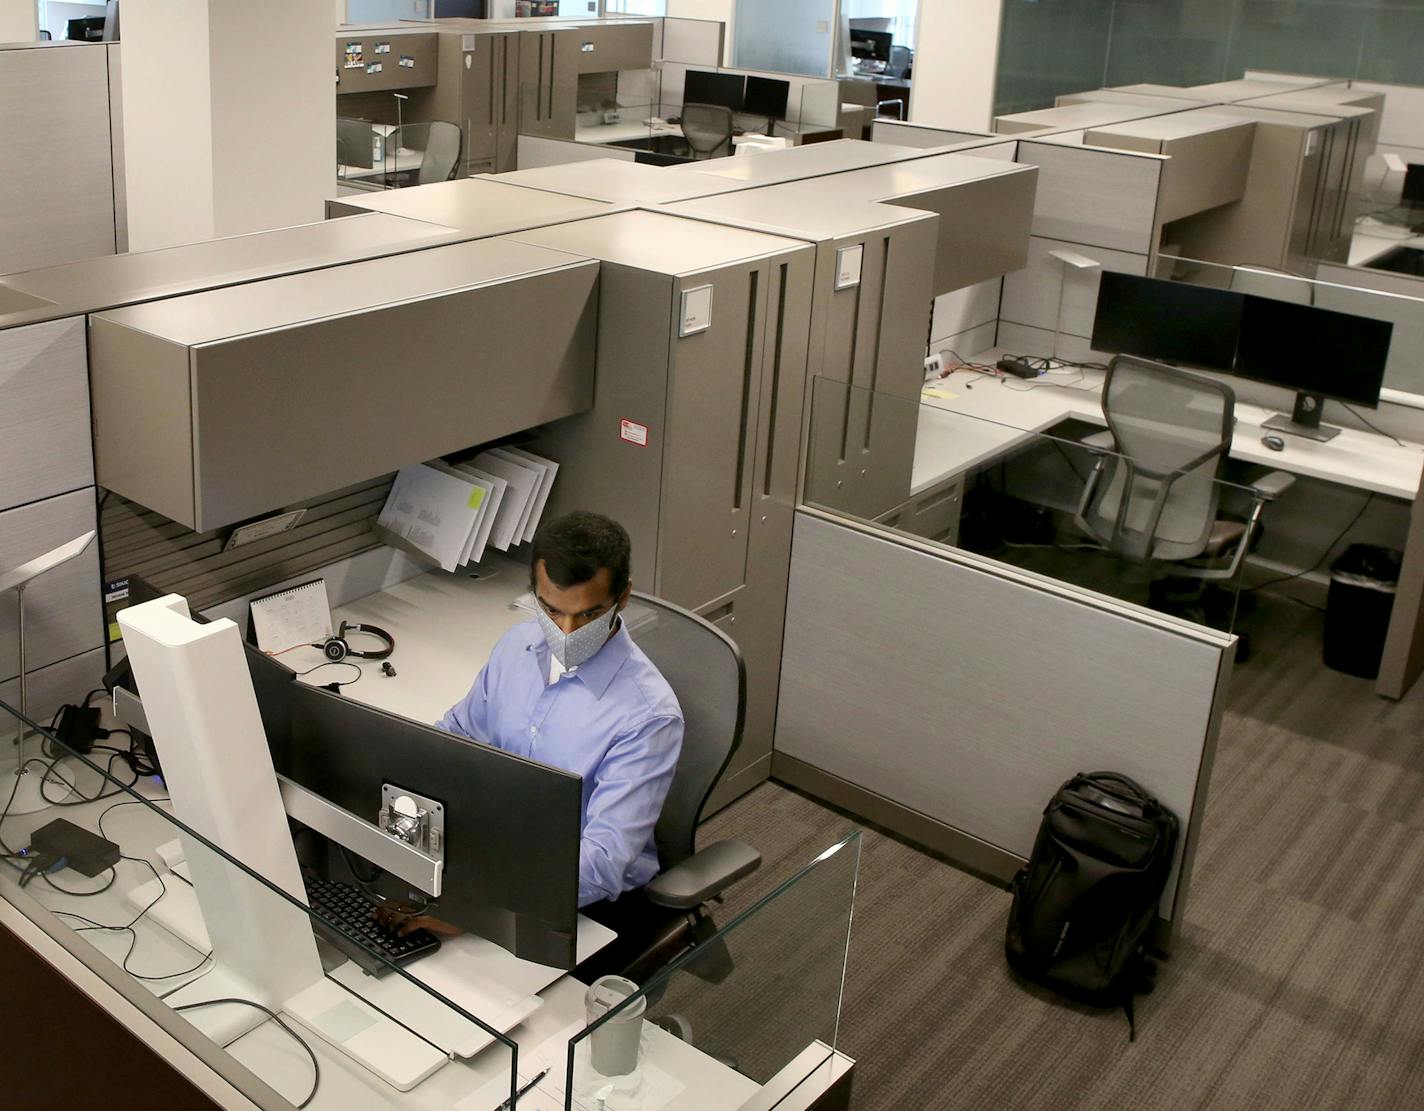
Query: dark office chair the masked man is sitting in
[706, 670]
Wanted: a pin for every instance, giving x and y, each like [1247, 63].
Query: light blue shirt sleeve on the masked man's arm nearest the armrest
[630, 788]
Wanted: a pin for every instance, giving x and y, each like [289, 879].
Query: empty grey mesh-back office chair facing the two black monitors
[1156, 501]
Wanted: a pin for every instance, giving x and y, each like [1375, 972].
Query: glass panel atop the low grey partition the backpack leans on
[1027, 474]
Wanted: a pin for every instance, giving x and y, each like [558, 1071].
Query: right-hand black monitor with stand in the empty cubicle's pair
[1316, 353]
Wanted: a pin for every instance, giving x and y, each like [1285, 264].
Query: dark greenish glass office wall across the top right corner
[1049, 48]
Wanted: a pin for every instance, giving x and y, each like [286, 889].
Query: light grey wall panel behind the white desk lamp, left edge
[63, 613]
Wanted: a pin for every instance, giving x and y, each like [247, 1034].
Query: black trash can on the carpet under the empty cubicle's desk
[1358, 613]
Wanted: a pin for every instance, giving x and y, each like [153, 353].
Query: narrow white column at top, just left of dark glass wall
[956, 61]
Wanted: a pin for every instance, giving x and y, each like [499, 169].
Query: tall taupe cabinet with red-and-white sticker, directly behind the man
[694, 437]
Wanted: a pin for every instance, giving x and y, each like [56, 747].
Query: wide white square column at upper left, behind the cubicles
[230, 118]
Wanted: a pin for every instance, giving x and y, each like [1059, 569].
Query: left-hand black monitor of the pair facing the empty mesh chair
[1171, 321]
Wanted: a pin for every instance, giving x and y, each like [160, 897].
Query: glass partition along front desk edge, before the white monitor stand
[273, 995]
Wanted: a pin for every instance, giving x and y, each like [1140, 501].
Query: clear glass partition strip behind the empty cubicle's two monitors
[1405, 368]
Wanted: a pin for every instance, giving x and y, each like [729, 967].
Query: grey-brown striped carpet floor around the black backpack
[1299, 981]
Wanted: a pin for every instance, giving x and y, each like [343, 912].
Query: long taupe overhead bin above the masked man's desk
[221, 407]
